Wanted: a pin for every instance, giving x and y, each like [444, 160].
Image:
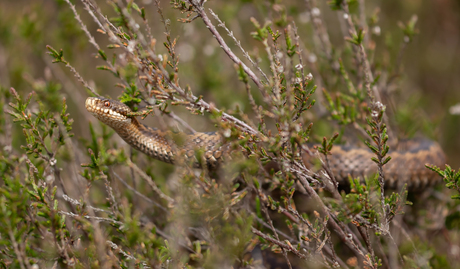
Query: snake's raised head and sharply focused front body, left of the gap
[165, 146]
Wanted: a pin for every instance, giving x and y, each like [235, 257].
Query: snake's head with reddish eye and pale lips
[110, 112]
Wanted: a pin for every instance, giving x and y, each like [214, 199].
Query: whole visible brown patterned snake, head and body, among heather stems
[406, 166]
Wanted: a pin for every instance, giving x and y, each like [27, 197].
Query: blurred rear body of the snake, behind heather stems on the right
[407, 164]
